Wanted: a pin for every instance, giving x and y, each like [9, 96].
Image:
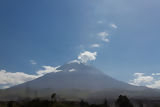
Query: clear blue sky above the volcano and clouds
[53, 32]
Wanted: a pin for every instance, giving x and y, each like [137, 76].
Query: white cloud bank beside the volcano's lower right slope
[146, 80]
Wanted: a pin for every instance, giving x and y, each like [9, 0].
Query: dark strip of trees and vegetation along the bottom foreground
[121, 101]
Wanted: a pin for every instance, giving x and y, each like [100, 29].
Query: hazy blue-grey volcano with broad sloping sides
[77, 81]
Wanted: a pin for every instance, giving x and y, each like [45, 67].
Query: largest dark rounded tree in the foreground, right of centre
[123, 101]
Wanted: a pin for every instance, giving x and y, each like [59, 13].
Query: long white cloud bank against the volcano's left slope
[8, 79]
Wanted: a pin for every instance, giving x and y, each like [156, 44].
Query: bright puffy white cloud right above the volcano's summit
[87, 56]
